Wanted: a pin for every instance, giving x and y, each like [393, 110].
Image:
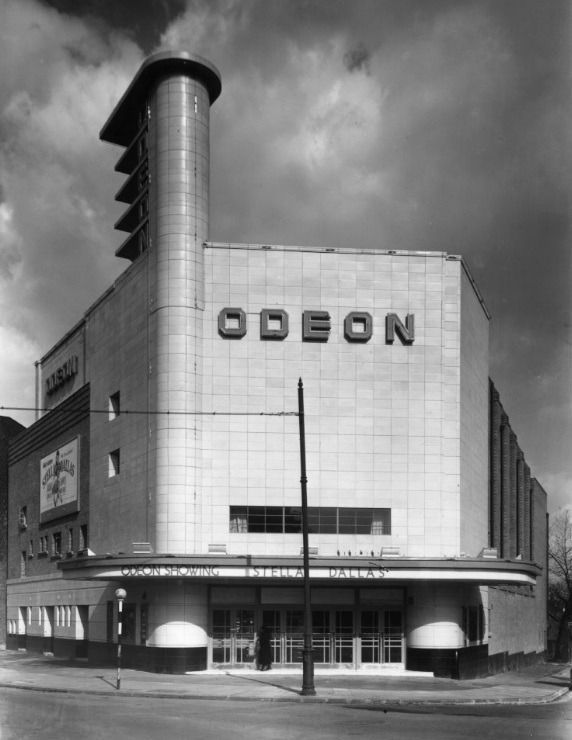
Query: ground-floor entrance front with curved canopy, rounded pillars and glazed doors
[193, 613]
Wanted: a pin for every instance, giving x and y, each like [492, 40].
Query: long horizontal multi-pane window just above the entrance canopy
[321, 520]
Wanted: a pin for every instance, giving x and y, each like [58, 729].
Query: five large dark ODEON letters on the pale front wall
[316, 325]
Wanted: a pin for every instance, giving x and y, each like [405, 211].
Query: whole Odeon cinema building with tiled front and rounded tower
[167, 460]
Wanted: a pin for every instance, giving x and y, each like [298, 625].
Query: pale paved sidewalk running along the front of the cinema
[534, 685]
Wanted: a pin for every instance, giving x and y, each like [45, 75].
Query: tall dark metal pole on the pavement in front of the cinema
[307, 657]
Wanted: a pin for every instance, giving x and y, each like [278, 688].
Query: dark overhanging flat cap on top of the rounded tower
[121, 126]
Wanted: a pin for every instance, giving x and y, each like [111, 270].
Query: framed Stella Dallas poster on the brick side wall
[59, 473]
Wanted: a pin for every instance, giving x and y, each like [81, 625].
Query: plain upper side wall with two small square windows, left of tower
[117, 356]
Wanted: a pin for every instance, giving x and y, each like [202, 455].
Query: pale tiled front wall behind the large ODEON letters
[383, 420]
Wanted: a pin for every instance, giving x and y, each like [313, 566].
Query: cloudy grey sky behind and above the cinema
[400, 124]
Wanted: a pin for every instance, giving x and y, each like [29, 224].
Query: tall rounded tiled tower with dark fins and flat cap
[162, 120]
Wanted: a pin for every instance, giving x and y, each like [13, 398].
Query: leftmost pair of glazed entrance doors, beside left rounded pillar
[233, 635]
